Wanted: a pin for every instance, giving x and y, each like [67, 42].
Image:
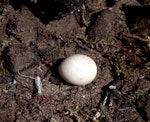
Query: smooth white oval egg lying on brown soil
[78, 69]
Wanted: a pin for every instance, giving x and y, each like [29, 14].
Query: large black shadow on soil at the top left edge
[45, 11]
